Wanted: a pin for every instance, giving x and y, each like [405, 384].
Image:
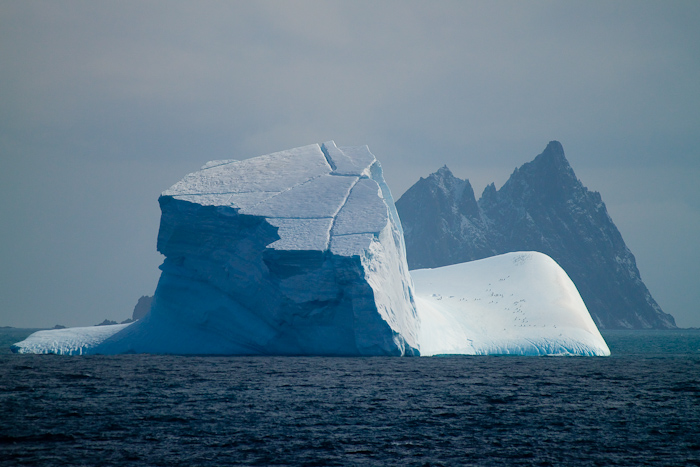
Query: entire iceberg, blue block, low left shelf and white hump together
[301, 252]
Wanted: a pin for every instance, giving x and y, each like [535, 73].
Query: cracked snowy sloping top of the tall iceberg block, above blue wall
[318, 196]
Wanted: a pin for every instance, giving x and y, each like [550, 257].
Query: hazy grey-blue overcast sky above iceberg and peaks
[104, 105]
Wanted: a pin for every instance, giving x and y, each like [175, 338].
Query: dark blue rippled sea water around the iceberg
[640, 406]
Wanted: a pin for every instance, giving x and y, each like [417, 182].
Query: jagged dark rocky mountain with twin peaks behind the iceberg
[542, 207]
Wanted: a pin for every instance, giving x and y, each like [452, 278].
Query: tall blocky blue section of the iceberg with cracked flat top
[299, 252]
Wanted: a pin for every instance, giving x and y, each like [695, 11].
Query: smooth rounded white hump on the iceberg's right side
[517, 303]
